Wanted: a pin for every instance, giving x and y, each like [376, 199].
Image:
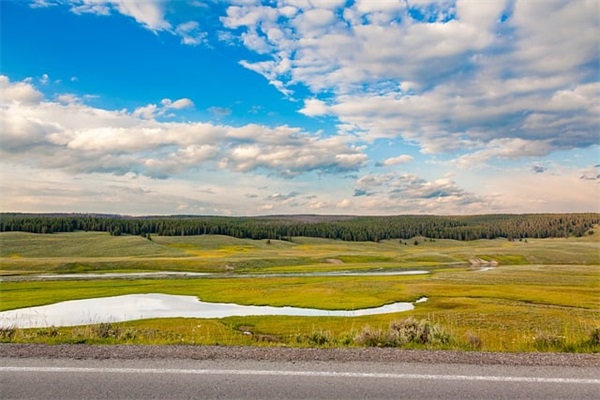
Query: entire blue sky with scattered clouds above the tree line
[249, 107]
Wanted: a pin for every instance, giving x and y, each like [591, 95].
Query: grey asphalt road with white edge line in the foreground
[65, 378]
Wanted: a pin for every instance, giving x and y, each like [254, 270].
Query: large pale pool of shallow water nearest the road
[155, 305]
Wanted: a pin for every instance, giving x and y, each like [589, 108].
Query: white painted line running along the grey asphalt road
[318, 374]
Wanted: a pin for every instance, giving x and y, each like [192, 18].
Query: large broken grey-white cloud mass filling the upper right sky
[452, 77]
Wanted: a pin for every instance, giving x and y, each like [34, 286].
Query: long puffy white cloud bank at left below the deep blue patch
[69, 135]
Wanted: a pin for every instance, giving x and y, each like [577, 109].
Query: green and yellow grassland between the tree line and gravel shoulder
[544, 294]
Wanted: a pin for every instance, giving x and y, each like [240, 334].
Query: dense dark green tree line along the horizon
[349, 228]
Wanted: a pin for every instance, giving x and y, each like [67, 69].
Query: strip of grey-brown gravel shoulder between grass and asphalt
[131, 352]
